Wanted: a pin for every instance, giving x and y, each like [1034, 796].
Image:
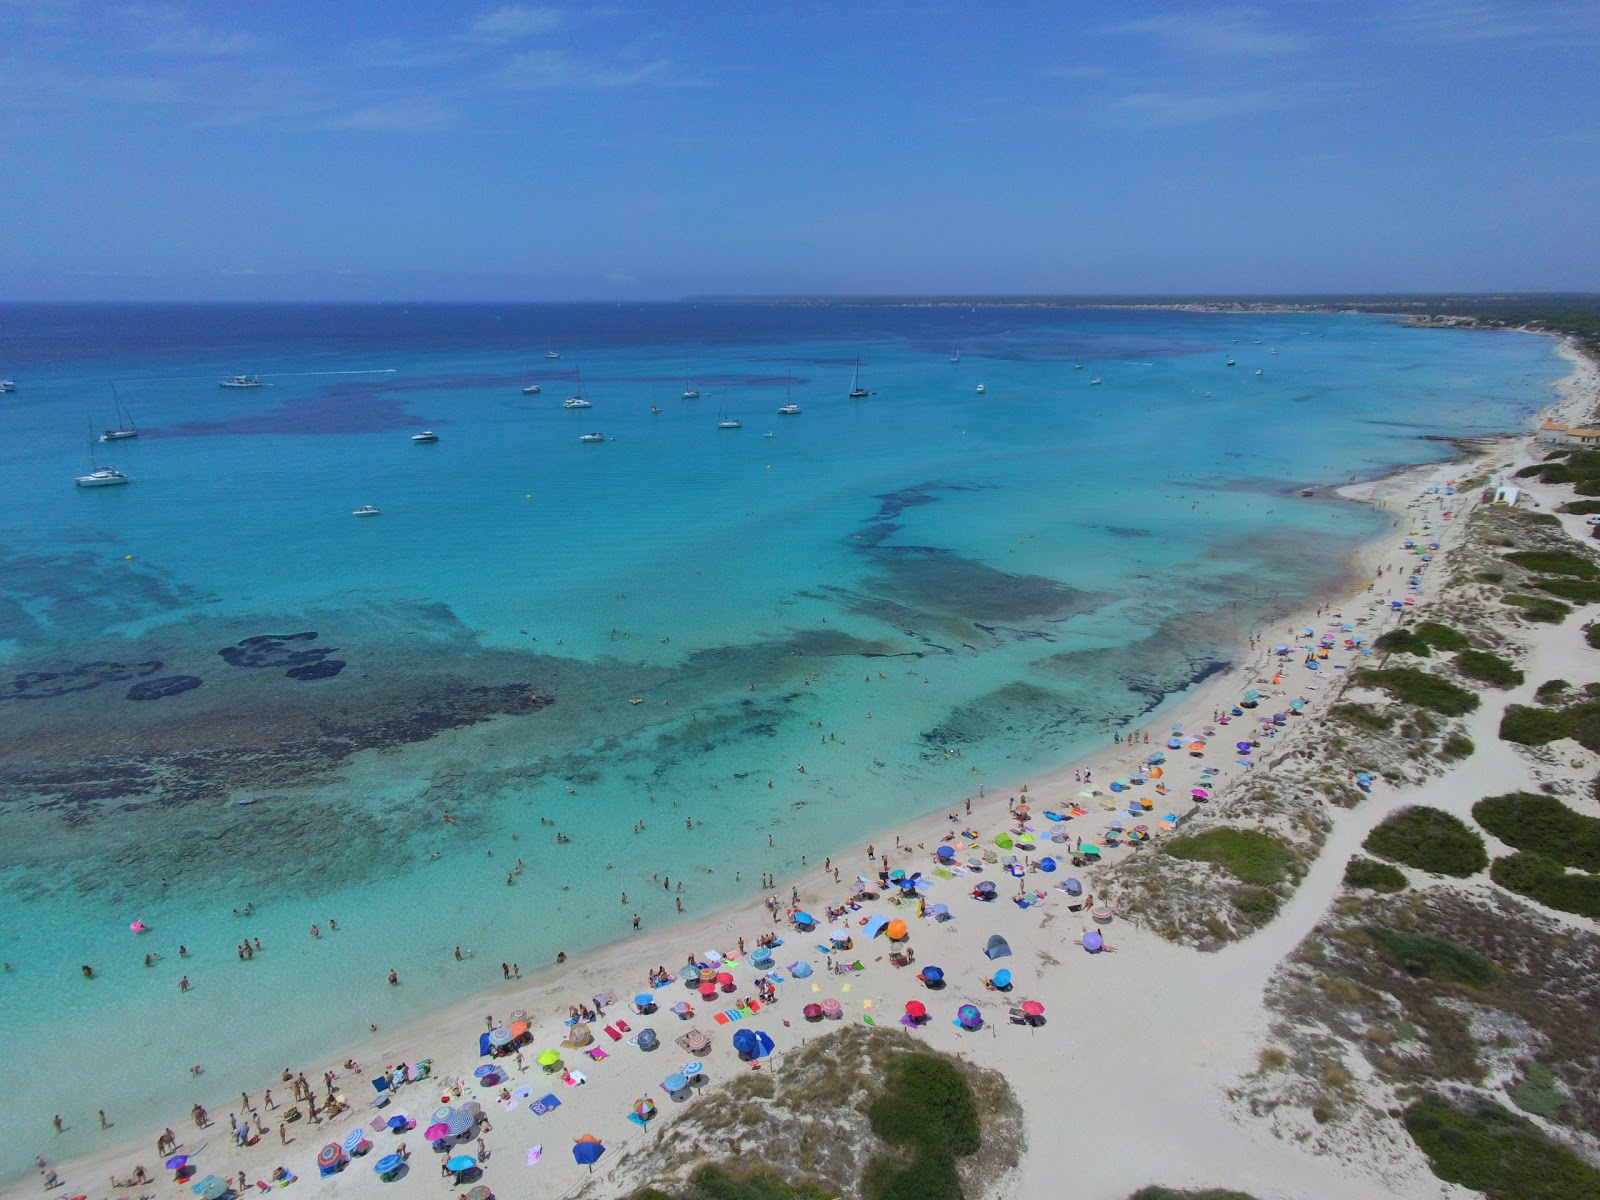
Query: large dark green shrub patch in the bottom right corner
[1494, 1151]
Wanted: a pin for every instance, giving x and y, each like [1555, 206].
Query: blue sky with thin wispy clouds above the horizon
[287, 150]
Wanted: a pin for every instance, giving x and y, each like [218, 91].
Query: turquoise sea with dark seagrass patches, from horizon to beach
[910, 596]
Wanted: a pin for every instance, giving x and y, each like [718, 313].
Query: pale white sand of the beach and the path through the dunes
[1126, 1082]
